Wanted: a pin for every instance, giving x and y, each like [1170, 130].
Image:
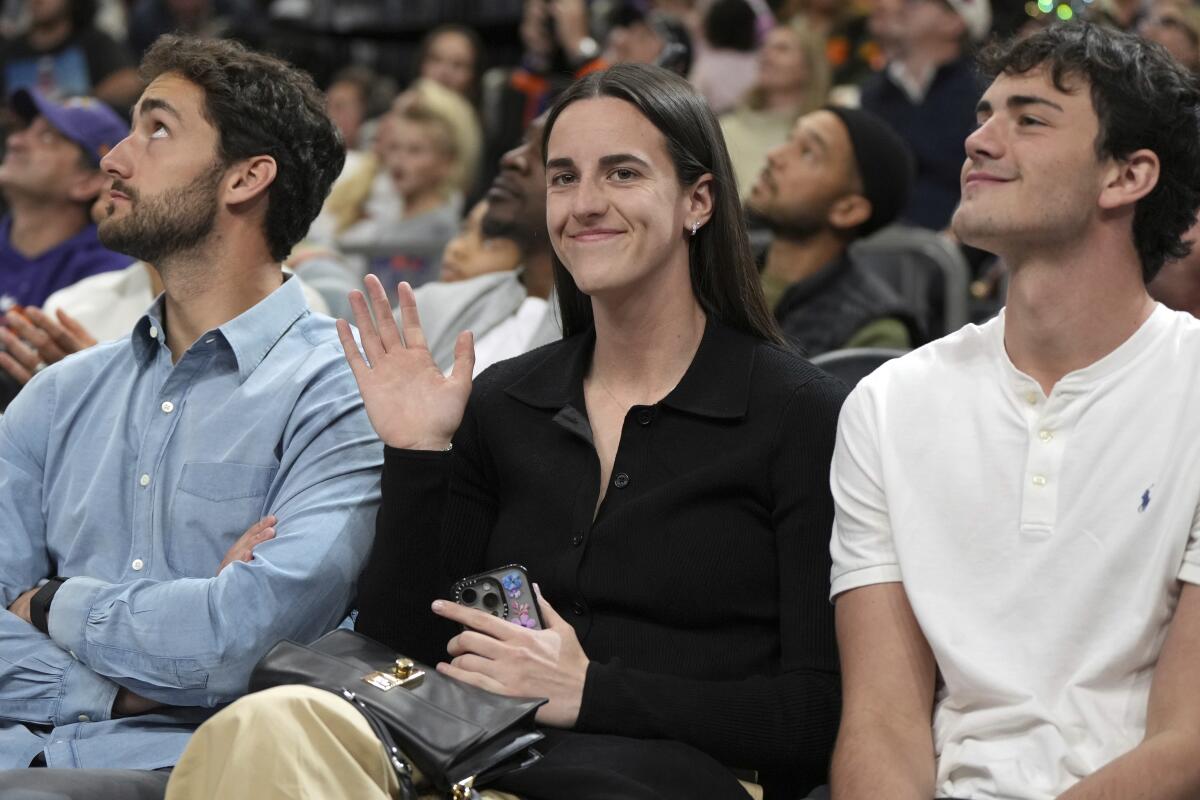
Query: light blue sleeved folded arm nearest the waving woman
[195, 641]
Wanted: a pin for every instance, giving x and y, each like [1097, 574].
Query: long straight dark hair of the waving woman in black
[724, 276]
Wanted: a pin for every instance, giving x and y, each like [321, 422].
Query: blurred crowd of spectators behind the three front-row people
[435, 99]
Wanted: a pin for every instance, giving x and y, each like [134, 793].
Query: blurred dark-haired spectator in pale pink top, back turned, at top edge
[728, 63]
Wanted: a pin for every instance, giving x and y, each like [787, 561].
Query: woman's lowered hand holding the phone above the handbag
[512, 660]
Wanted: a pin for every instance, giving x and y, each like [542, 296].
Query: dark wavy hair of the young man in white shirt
[1144, 100]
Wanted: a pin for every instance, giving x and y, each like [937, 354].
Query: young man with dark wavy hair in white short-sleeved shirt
[1016, 546]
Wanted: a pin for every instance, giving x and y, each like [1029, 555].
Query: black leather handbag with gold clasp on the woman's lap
[459, 737]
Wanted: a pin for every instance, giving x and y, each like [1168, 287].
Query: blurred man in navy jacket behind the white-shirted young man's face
[928, 93]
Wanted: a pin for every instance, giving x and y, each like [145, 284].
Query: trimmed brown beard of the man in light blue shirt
[172, 222]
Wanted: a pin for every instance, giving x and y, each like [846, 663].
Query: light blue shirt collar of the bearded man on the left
[250, 335]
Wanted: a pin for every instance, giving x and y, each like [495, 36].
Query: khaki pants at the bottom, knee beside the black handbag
[293, 743]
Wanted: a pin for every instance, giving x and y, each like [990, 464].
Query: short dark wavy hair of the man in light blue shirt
[261, 106]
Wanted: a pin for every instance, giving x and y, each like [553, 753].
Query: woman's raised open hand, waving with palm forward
[409, 401]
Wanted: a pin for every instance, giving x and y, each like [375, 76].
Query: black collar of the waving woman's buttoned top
[717, 384]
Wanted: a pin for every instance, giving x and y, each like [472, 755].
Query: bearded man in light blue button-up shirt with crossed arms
[129, 471]
